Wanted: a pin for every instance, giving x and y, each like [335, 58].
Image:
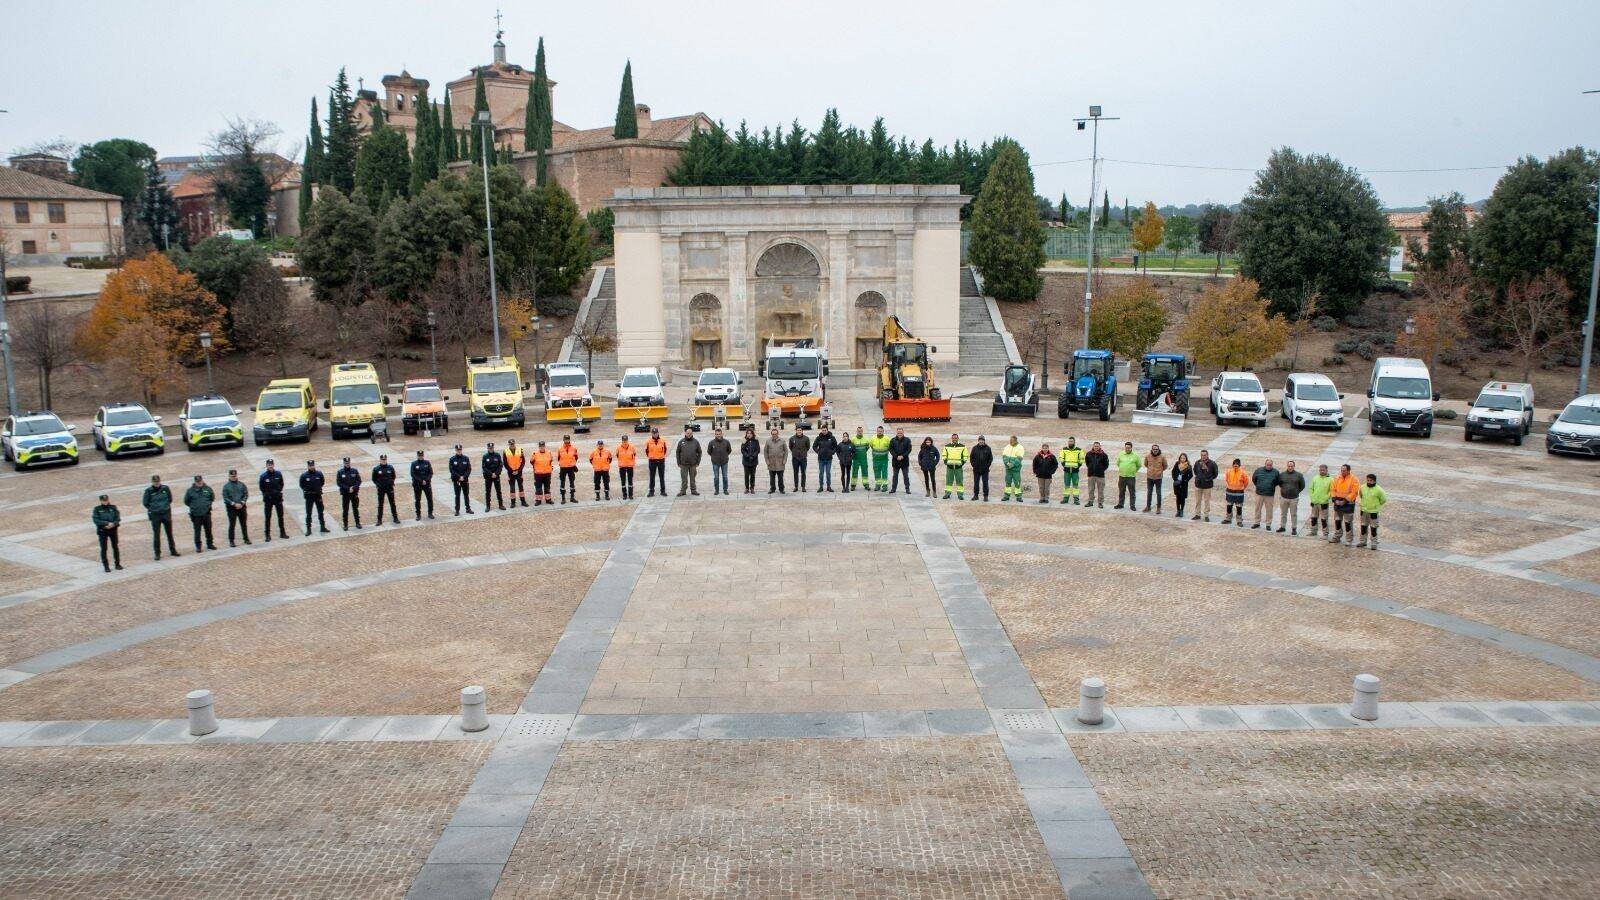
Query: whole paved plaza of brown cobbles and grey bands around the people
[812, 696]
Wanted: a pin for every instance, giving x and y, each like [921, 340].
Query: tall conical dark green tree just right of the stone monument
[1009, 239]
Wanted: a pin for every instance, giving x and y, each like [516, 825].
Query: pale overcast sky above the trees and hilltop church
[1409, 86]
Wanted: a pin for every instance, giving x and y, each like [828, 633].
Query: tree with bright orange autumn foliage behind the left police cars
[148, 319]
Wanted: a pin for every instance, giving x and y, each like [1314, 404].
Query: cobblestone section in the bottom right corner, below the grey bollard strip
[1356, 814]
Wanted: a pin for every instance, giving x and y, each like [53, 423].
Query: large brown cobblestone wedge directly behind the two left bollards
[391, 649]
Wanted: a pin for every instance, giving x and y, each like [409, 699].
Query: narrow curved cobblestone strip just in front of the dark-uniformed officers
[70, 619]
